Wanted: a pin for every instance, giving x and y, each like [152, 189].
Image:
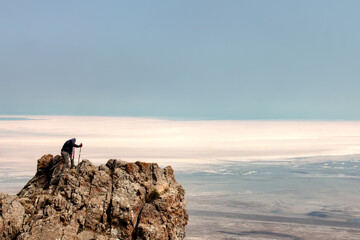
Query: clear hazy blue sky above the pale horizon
[183, 59]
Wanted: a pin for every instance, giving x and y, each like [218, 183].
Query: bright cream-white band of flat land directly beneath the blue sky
[25, 138]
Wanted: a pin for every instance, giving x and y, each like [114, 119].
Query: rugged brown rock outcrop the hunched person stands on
[118, 200]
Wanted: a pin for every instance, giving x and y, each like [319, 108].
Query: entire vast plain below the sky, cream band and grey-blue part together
[249, 177]
